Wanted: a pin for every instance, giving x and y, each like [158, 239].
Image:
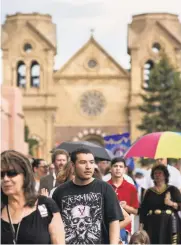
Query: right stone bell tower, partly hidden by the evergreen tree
[148, 35]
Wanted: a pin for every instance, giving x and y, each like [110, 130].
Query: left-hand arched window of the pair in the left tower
[21, 74]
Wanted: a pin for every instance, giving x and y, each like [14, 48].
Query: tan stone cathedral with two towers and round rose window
[91, 95]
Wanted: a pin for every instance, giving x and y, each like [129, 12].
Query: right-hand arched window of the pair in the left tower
[35, 74]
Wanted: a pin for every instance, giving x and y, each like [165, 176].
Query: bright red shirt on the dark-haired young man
[126, 192]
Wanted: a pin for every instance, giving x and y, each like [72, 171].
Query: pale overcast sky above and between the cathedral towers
[75, 18]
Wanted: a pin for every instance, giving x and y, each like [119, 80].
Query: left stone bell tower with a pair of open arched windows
[29, 47]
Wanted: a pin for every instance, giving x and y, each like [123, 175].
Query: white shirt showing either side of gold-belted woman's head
[174, 178]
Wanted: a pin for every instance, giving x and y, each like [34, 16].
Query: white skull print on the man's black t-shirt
[82, 217]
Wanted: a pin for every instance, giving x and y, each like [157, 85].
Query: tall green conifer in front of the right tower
[161, 106]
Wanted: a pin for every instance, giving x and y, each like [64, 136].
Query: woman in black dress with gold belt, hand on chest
[159, 209]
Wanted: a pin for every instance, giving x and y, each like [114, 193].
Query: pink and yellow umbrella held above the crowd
[157, 145]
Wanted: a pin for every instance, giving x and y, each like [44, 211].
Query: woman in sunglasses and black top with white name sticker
[26, 218]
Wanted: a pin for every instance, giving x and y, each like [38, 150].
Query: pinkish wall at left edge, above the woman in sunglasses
[12, 120]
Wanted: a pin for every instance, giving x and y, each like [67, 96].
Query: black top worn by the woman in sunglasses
[34, 227]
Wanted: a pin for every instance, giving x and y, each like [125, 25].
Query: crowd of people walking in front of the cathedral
[79, 199]
